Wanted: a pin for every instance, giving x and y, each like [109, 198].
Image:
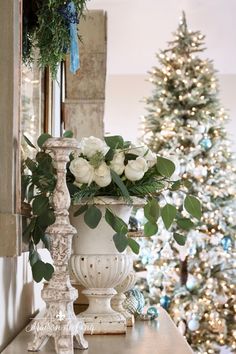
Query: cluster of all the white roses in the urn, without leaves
[90, 164]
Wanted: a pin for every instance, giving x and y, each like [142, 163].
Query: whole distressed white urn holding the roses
[99, 266]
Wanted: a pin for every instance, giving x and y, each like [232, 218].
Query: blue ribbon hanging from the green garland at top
[70, 15]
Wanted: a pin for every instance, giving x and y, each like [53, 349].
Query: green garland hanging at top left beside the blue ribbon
[45, 29]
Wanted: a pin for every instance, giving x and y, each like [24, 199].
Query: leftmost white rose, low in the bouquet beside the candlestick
[82, 170]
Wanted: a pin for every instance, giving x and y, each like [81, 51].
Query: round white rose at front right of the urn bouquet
[135, 169]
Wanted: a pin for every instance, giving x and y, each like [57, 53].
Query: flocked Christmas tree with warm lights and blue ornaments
[195, 282]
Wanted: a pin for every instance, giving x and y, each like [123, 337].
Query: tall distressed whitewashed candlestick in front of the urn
[59, 320]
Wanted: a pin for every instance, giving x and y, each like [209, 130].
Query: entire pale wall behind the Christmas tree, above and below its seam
[137, 29]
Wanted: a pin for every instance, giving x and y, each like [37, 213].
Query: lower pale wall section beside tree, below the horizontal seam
[124, 104]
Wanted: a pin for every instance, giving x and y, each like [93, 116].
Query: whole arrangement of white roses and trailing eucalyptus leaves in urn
[110, 167]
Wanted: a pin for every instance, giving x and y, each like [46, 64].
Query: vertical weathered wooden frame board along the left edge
[10, 56]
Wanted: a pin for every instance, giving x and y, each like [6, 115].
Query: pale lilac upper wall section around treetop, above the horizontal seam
[137, 29]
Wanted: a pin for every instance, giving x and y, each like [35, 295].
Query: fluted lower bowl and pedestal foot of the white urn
[100, 274]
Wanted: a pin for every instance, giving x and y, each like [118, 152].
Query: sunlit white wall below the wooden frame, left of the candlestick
[19, 295]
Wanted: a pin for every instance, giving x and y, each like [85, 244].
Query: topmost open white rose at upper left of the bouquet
[90, 146]
